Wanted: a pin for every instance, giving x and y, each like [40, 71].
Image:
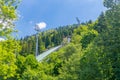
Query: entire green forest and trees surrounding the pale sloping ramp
[92, 54]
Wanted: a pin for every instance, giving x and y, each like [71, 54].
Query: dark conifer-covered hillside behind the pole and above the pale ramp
[46, 39]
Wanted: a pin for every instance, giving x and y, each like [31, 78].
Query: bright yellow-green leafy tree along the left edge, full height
[8, 49]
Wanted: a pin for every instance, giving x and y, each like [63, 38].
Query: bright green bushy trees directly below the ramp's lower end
[30, 69]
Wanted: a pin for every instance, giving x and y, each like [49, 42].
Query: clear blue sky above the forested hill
[55, 13]
